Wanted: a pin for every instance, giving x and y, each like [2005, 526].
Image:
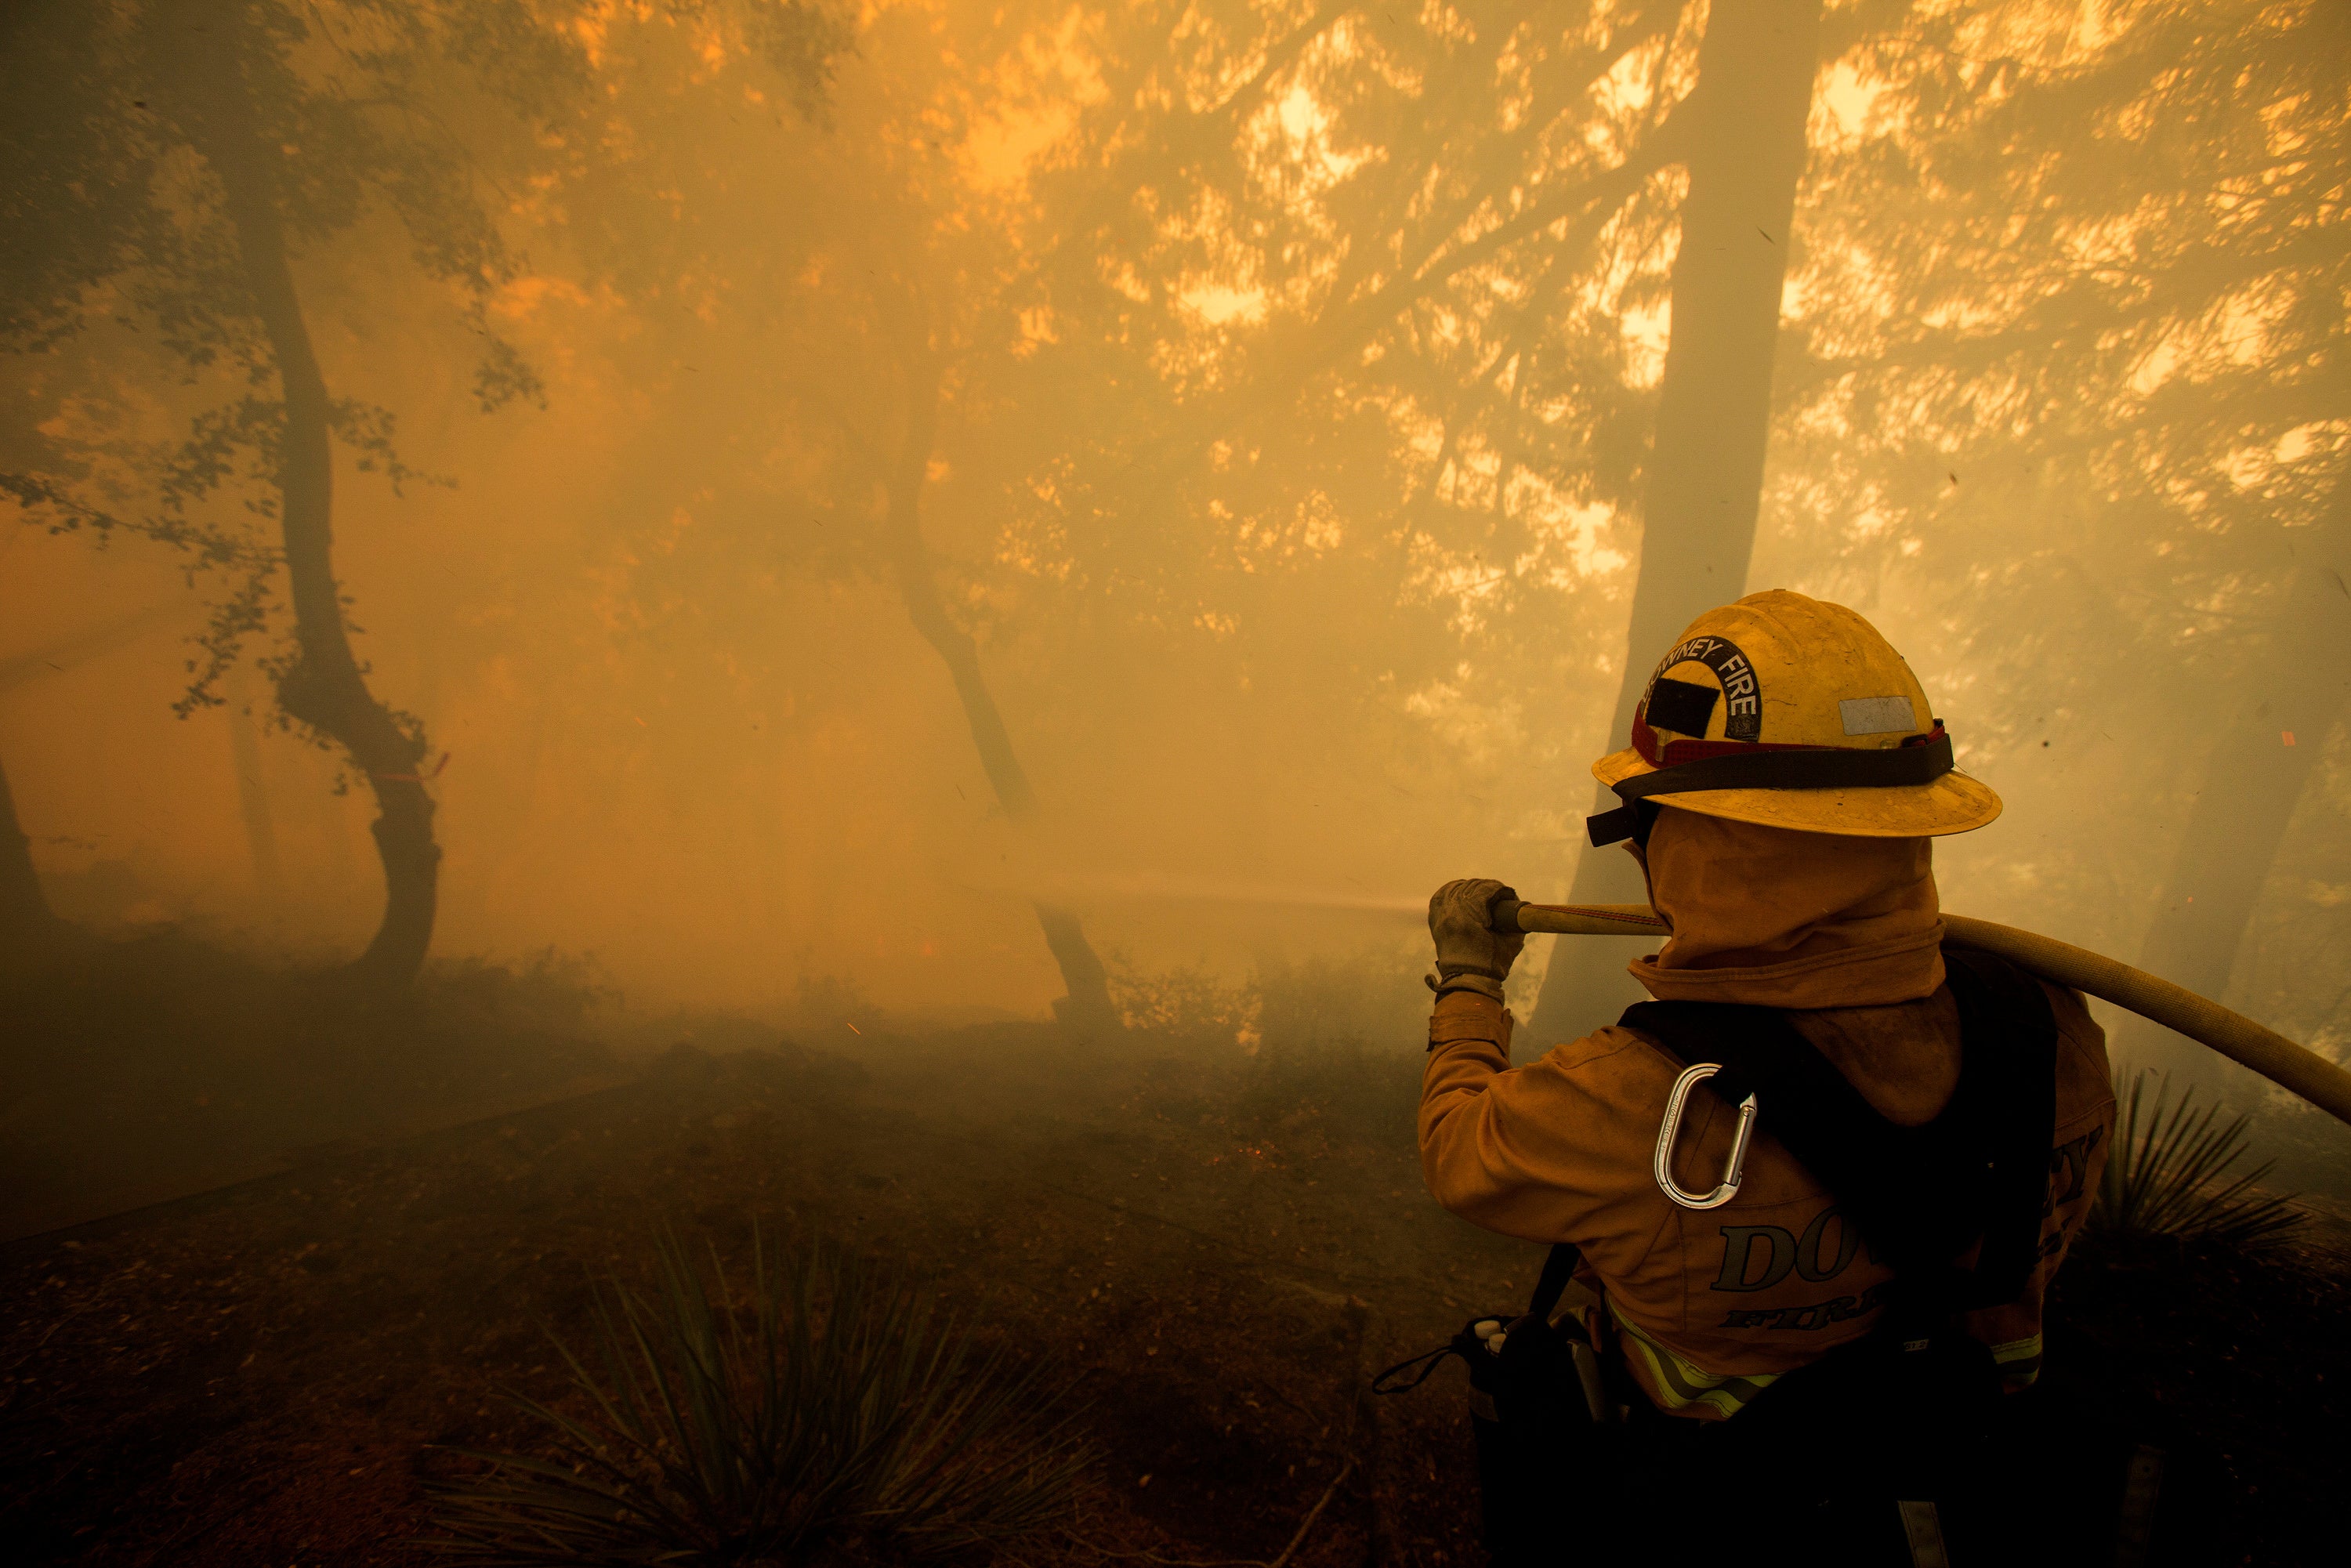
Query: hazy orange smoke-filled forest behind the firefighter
[913, 507]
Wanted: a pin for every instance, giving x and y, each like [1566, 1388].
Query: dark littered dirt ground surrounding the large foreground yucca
[1217, 1252]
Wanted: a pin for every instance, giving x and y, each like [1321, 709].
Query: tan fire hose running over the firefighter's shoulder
[2178, 1010]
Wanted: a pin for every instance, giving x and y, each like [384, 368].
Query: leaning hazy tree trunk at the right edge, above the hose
[2251, 786]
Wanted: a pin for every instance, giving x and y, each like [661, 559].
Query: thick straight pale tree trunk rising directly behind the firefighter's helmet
[1706, 467]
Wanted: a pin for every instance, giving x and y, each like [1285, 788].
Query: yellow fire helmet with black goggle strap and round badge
[1793, 713]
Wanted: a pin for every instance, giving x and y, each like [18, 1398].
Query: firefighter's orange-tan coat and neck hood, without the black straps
[1713, 1306]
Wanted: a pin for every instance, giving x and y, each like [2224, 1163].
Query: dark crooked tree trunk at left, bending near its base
[326, 685]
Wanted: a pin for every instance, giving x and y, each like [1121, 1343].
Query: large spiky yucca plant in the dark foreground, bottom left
[836, 1416]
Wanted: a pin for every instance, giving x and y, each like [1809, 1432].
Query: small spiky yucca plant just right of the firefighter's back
[2166, 1179]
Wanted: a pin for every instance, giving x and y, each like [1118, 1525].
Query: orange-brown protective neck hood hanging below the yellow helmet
[1781, 918]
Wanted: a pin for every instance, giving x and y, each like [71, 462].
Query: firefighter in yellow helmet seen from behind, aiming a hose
[1809, 1275]
